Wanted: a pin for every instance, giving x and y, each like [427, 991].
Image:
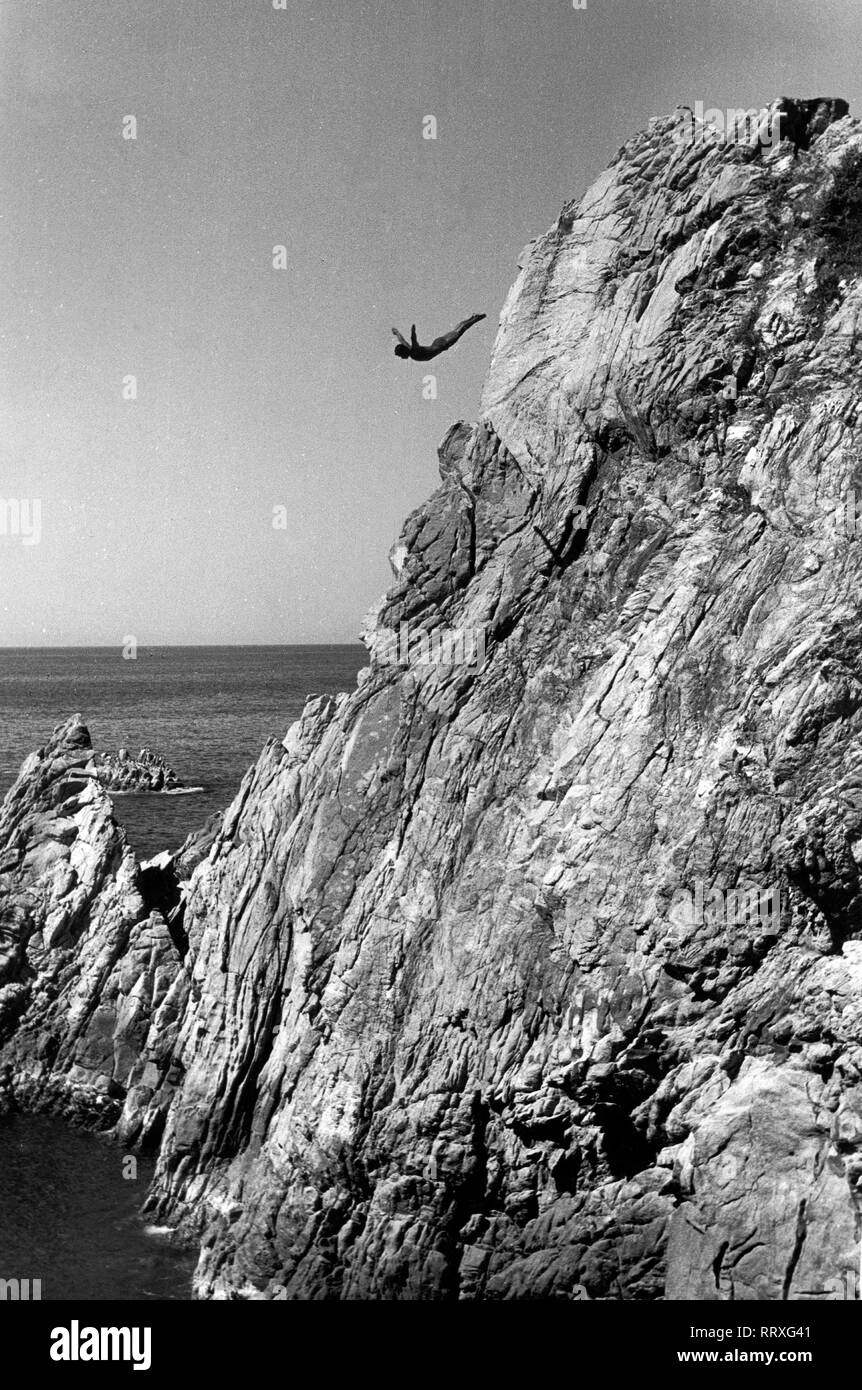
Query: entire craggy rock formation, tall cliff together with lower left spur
[507, 978]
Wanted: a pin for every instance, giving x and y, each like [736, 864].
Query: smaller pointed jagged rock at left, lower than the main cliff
[91, 983]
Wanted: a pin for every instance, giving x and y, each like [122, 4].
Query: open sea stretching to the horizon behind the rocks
[209, 711]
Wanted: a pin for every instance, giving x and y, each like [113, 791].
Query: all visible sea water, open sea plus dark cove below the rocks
[70, 1218]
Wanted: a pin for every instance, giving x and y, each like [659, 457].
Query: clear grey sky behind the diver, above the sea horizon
[272, 395]
